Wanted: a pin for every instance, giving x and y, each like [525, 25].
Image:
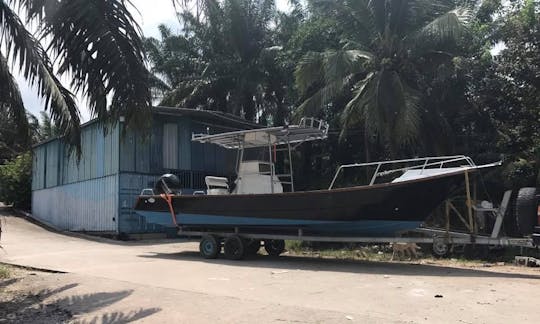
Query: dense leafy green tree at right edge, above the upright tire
[507, 89]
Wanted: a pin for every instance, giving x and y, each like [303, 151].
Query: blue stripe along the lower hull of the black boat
[358, 228]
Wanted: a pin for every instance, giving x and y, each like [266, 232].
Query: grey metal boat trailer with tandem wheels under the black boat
[442, 240]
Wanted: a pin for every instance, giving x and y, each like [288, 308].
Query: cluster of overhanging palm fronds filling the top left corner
[96, 43]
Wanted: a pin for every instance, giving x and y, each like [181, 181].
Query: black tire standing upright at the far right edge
[525, 210]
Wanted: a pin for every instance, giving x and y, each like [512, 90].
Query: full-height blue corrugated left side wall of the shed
[78, 196]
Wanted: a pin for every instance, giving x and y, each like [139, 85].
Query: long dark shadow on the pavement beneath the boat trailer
[339, 265]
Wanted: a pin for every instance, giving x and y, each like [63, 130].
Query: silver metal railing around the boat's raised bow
[414, 164]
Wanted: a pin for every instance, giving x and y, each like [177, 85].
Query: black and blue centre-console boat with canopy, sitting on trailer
[398, 196]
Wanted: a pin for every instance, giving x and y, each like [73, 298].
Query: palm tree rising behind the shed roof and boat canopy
[222, 59]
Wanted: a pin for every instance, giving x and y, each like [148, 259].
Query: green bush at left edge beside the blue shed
[16, 181]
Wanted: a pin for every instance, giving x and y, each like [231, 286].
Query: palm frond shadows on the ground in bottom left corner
[19, 306]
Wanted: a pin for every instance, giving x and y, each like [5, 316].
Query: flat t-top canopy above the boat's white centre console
[309, 129]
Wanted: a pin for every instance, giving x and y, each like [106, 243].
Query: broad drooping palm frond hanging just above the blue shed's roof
[98, 43]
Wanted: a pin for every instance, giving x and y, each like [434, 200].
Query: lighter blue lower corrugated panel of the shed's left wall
[82, 206]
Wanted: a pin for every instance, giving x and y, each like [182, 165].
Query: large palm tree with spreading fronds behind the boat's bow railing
[388, 45]
